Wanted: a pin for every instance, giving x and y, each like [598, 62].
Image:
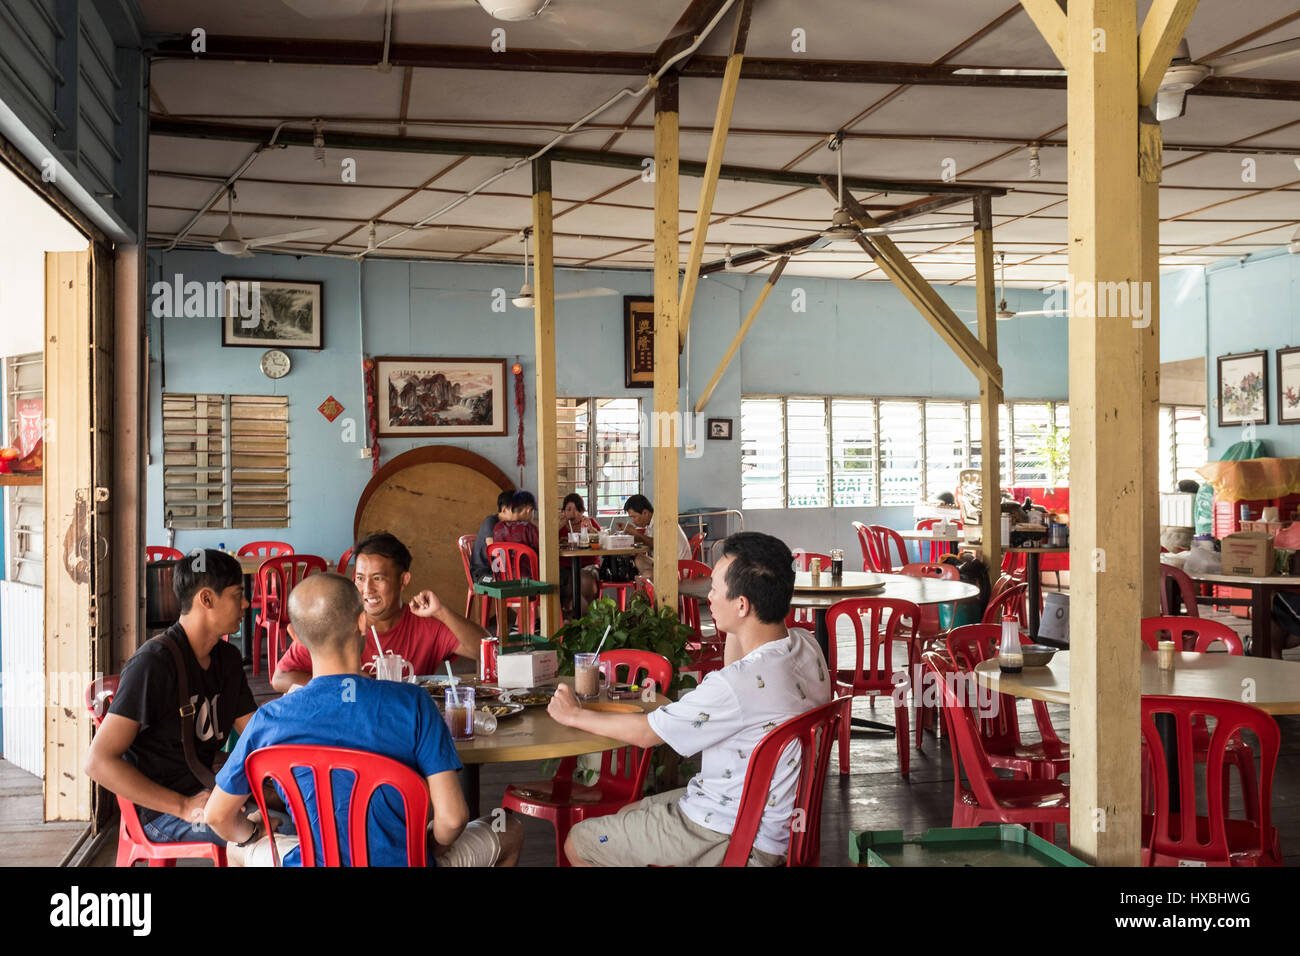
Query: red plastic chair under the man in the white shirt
[814, 733]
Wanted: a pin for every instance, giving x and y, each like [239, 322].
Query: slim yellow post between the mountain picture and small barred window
[544, 340]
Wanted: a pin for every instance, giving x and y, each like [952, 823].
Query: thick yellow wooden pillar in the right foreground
[1106, 431]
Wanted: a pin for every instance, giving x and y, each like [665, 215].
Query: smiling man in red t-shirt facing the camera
[424, 631]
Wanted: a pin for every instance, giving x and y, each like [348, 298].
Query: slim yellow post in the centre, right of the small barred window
[666, 432]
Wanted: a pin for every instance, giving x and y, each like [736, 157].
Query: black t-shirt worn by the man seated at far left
[148, 694]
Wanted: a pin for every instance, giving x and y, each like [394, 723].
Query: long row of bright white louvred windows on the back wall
[801, 452]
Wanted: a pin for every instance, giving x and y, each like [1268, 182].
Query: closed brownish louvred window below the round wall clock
[226, 461]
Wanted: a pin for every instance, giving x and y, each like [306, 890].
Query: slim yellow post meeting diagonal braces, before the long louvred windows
[990, 390]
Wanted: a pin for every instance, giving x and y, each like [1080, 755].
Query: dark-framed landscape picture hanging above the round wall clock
[270, 314]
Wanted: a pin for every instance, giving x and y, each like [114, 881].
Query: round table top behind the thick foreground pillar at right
[1277, 684]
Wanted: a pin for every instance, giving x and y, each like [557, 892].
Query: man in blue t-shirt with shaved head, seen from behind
[341, 708]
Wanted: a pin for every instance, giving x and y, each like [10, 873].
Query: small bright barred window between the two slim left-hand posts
[600, 451]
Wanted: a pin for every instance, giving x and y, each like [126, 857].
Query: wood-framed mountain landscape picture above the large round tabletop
[423, 397]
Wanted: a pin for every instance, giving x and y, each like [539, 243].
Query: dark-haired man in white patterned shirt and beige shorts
[772, 676]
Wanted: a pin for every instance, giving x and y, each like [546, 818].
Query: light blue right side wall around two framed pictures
[1254, 306]
